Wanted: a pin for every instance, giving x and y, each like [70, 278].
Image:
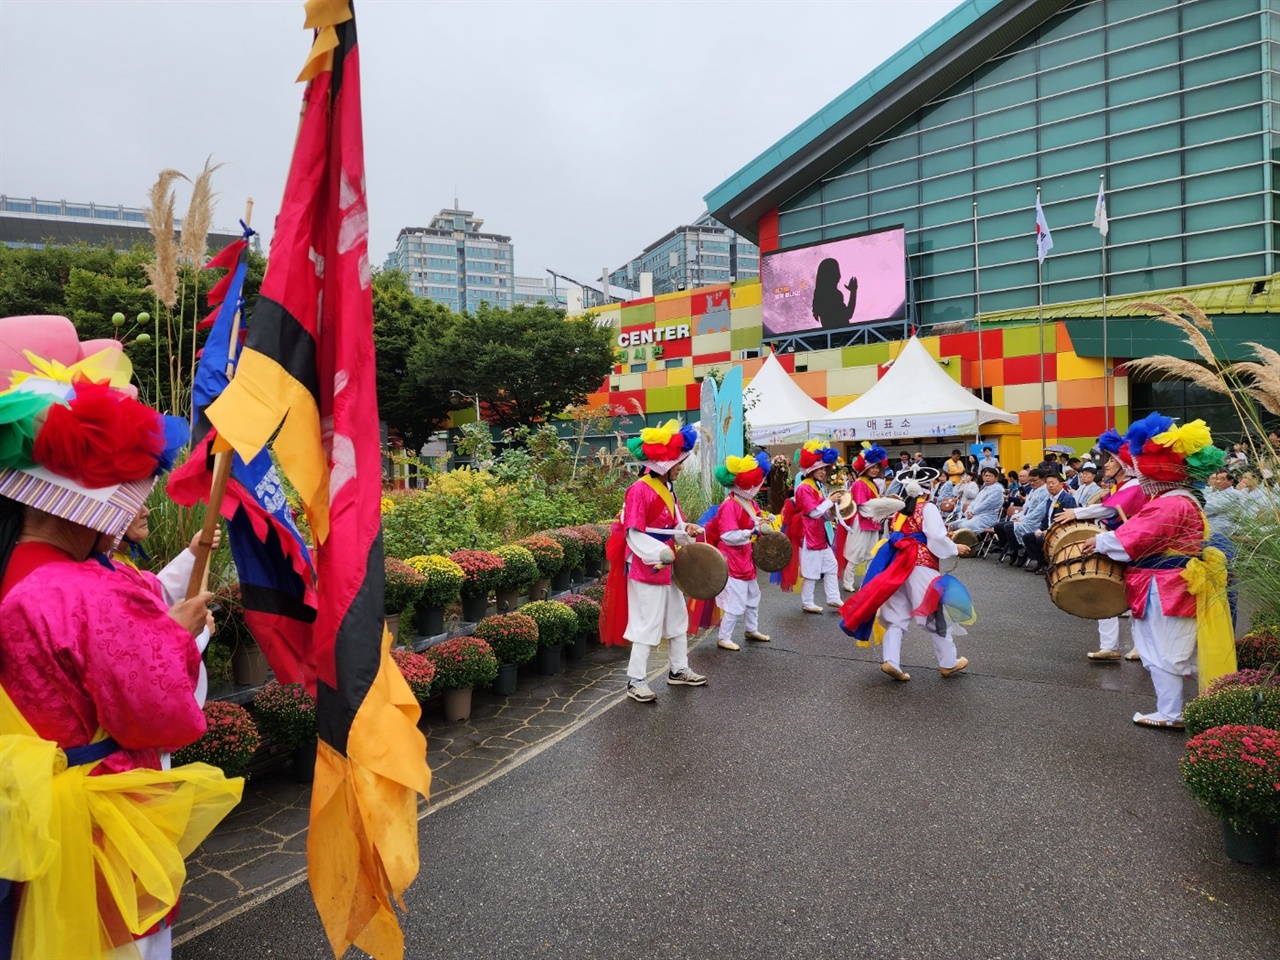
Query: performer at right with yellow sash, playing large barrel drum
[1174, 621]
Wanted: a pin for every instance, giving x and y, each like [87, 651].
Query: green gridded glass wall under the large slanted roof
[1171, 103]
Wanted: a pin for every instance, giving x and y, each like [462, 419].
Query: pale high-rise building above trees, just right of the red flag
[455, 263]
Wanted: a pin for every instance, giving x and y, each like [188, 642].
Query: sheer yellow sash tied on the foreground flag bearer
[67, 834]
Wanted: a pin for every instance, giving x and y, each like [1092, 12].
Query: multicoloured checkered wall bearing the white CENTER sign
[661, 369]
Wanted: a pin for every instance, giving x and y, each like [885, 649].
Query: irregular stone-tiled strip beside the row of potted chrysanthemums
[260, 851]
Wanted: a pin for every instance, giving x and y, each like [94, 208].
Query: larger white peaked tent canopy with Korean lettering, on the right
[915, 399]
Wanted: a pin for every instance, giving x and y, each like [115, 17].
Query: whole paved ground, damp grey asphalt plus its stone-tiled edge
[801, 806]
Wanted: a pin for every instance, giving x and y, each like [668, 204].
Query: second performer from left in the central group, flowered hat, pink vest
[739, 522]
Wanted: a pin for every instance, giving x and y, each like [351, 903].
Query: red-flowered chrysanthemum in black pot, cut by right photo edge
[1233, 772]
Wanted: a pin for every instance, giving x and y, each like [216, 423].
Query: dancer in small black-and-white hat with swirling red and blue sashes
[904, 583]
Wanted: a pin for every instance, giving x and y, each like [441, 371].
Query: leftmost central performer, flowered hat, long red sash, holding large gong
[652, 607]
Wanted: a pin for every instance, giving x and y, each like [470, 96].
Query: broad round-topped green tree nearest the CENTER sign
[528, 364]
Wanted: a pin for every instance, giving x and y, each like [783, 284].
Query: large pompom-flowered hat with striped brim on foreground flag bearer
[74, 440]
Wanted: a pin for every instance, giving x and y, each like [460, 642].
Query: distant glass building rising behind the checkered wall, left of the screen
[693, 255]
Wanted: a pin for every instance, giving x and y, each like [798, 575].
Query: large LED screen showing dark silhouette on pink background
[835, 285]
